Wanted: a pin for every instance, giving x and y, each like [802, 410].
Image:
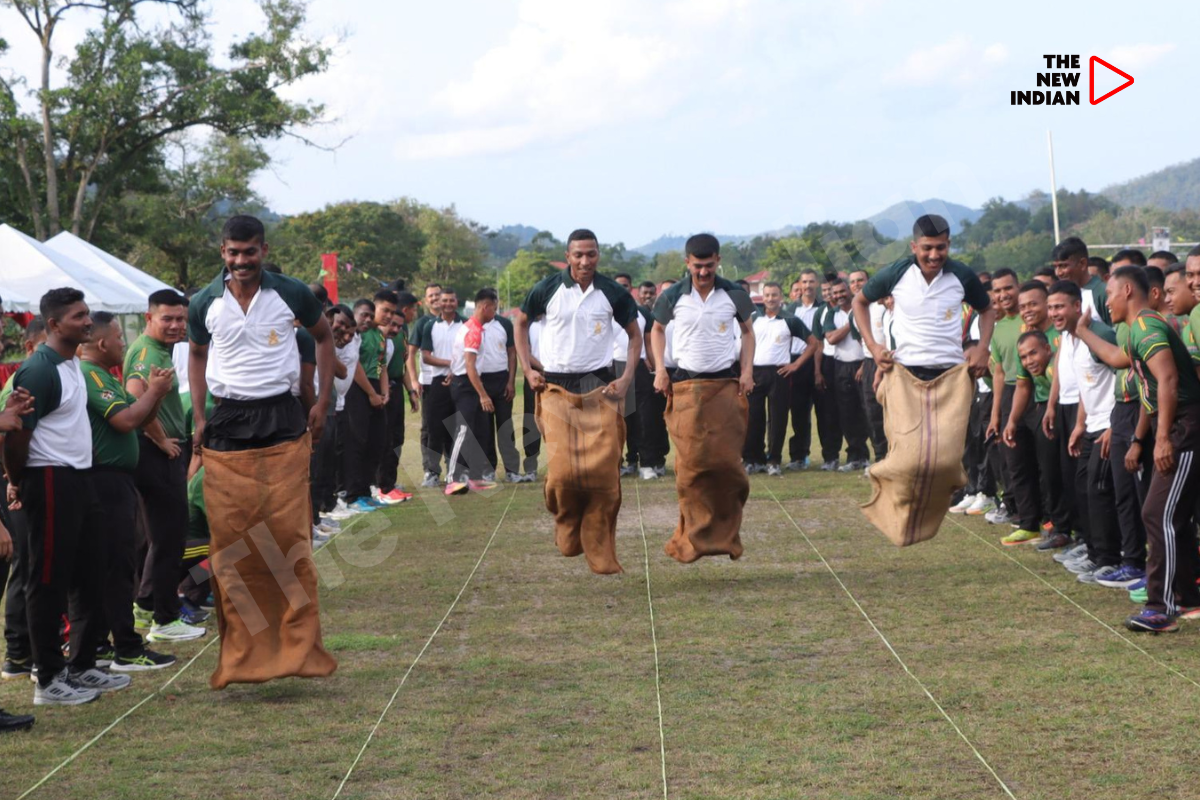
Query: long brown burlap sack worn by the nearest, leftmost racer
[265, 580]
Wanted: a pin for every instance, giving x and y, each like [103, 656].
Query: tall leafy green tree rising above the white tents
[130, 87]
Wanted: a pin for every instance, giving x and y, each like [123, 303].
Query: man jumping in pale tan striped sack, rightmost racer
[927, 405]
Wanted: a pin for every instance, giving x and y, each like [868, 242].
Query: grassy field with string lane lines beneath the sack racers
[475, 661]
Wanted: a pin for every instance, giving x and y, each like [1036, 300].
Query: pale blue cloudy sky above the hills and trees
[643, 118]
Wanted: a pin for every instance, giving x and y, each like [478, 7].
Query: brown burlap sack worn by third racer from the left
[707, 422]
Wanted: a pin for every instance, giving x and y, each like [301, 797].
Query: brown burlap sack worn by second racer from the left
[584, 436]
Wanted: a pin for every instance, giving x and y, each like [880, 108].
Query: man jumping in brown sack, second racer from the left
[579, 400]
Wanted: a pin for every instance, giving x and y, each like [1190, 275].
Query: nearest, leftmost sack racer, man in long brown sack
[256, 452]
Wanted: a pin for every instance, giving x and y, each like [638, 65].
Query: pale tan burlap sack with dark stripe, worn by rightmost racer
[927, 429]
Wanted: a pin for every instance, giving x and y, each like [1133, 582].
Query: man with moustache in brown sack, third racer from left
[707, 408]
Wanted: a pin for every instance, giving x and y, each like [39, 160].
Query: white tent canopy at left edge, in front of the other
[29, 269]
